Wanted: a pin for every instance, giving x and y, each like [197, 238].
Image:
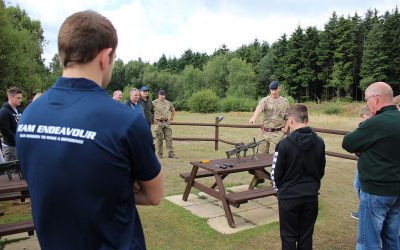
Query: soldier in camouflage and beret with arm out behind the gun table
[274, 108]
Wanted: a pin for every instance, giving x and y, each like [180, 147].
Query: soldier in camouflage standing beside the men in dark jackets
[162, 108]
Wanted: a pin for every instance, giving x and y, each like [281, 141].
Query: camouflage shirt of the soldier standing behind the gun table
[274, 111]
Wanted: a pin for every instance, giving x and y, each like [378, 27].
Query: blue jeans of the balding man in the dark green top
[379, 222]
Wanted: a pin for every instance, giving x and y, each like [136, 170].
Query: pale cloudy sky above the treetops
[150, 28]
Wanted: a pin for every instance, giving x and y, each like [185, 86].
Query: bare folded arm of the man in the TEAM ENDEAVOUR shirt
[150, 192]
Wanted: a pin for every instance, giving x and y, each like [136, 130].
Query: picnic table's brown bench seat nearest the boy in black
[242, 197]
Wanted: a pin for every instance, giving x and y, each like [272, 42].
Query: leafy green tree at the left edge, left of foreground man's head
[21, 46]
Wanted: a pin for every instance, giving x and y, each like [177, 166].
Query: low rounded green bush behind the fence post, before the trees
[204, 101]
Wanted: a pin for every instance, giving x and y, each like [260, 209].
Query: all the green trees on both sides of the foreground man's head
[337, 62]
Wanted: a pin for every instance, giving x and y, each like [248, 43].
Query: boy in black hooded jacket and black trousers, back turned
[297, 170]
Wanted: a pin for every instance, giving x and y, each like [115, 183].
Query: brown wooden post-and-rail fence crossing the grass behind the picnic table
[216, 139]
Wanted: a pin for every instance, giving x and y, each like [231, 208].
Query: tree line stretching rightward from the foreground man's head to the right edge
[338, 62]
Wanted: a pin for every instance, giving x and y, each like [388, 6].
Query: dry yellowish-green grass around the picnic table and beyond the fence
[170, 227]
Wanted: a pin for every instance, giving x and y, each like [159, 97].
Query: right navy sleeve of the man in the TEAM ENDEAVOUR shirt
[145, 165]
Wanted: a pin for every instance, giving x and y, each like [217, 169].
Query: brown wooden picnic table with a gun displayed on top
[213, 169]
